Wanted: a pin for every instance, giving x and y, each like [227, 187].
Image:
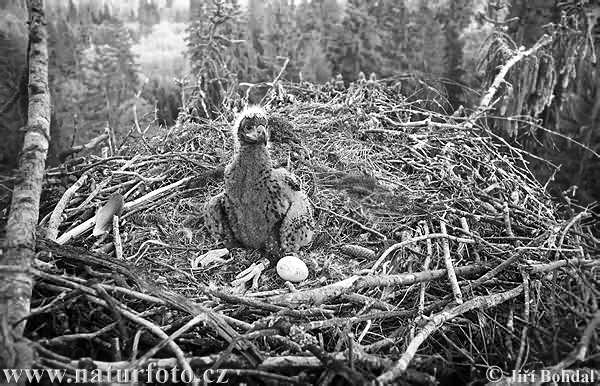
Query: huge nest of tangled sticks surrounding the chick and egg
[437, 255]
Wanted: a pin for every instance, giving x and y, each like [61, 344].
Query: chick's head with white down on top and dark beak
[251, 127]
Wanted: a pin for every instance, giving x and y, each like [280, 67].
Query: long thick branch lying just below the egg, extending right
[356, 282]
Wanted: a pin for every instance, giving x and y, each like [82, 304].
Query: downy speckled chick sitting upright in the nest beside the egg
[261, 207]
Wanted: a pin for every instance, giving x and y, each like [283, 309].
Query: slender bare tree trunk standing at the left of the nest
[15, 280]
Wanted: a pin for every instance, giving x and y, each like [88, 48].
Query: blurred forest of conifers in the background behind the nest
[115, 62]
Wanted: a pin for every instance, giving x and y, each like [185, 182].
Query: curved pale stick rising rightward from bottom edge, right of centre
[480, 302]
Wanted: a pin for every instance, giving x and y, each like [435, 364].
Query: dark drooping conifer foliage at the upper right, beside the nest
[552, 97]
